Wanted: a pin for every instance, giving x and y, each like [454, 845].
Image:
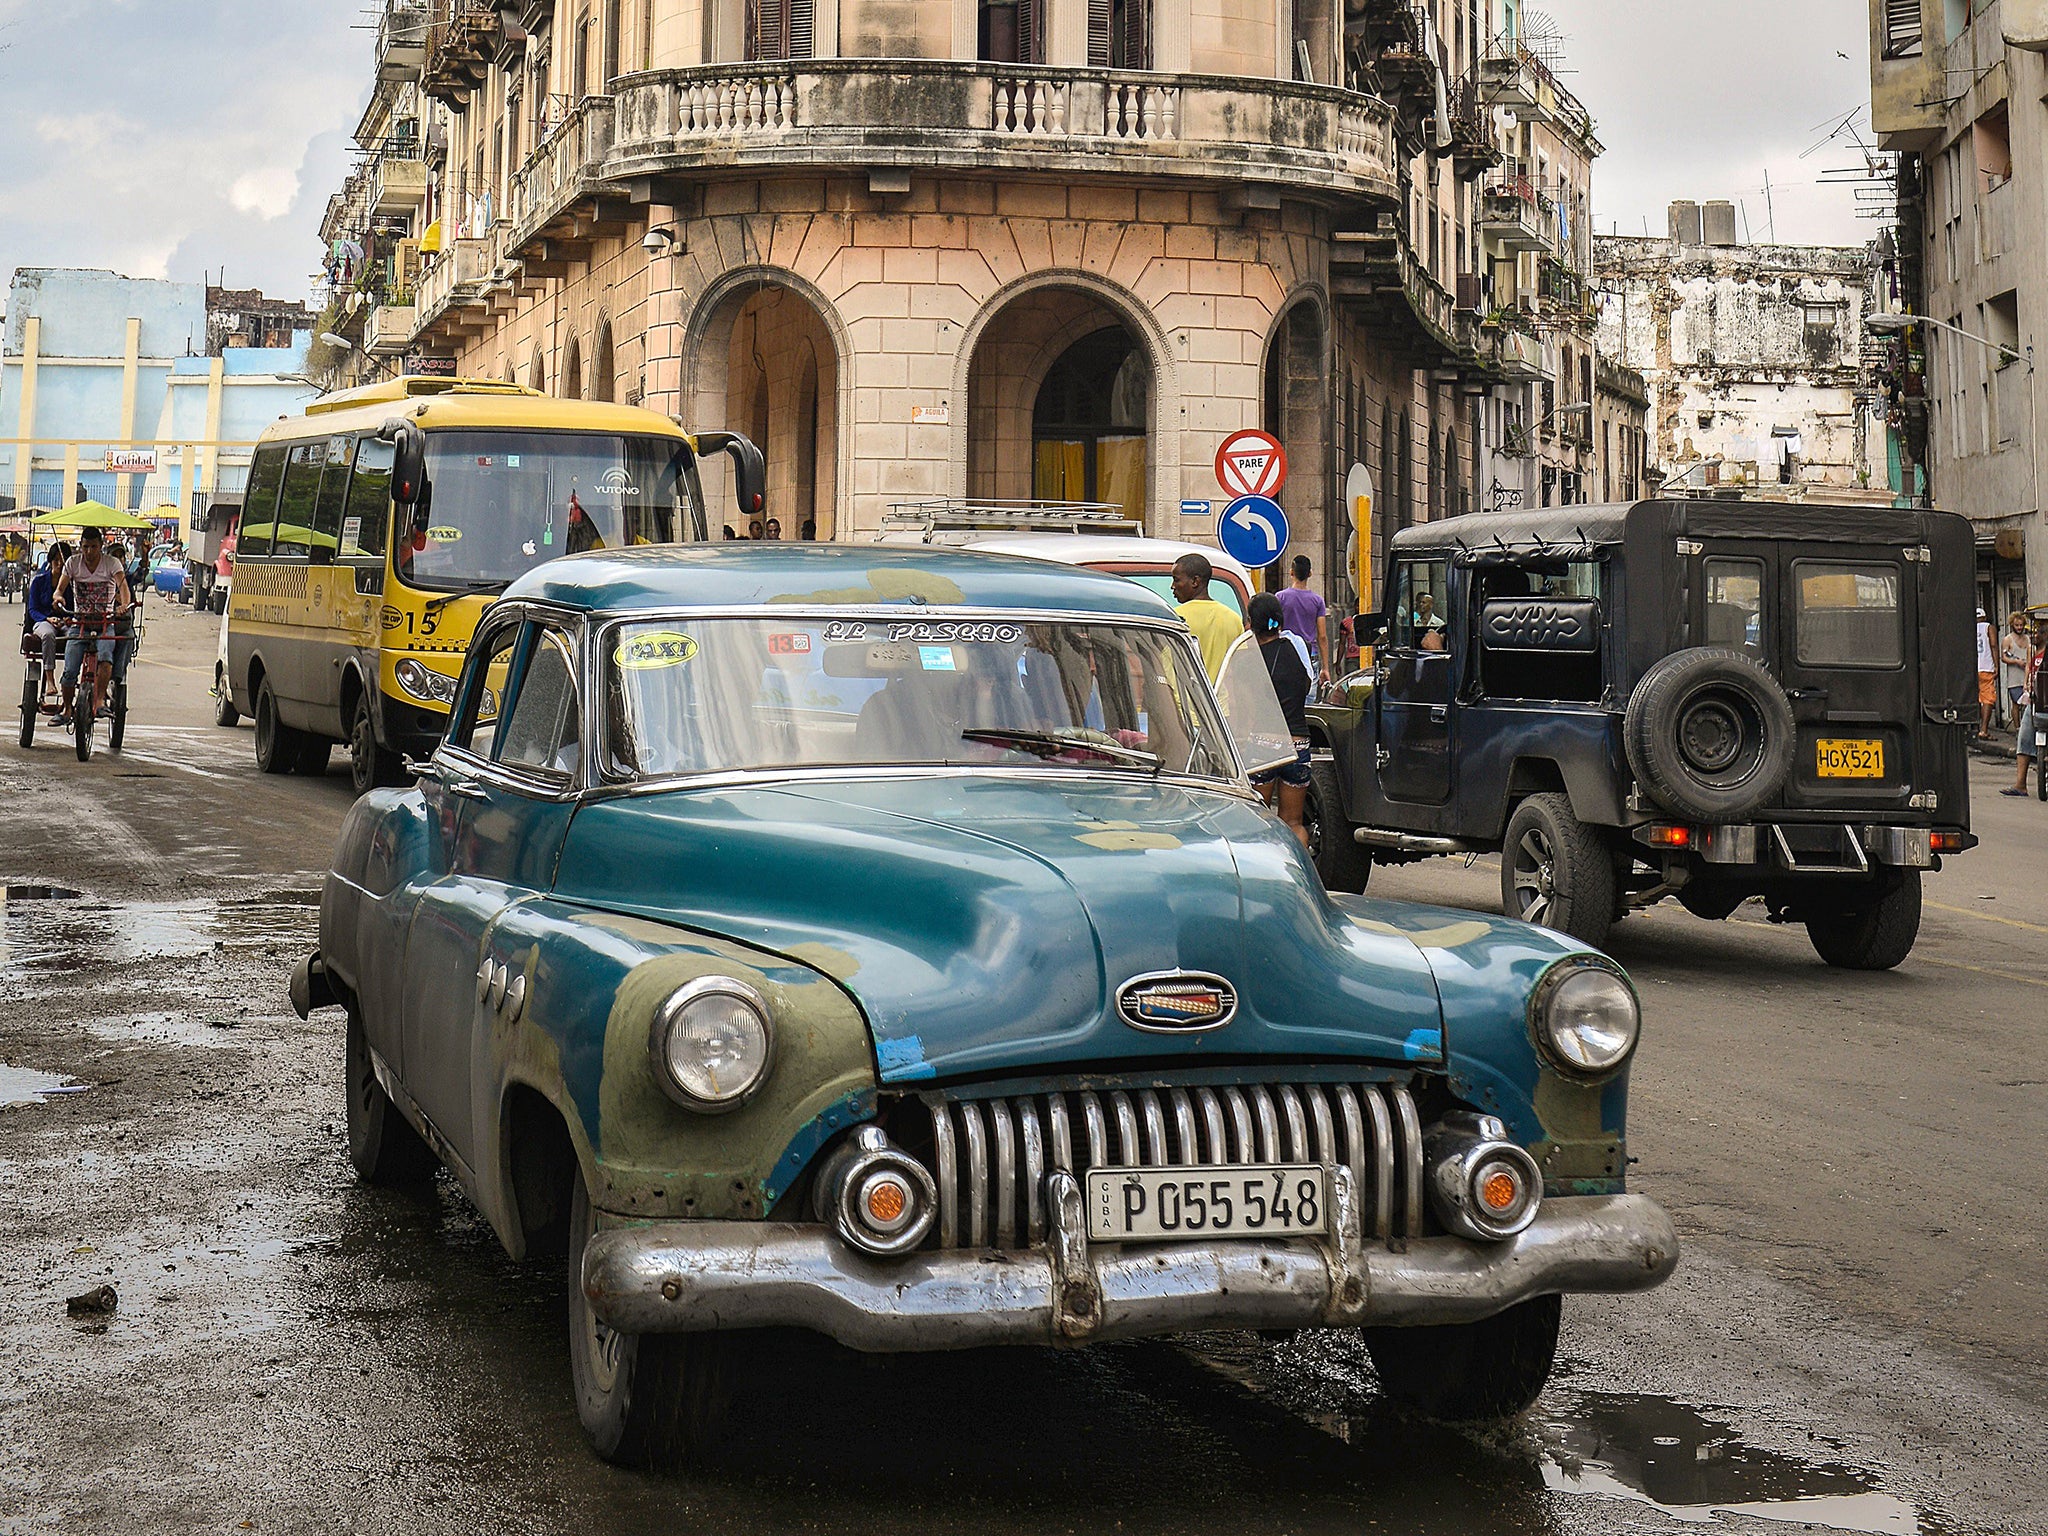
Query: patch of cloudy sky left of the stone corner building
[173, 138]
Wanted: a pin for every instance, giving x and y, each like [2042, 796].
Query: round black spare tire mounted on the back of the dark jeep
[1709, 734]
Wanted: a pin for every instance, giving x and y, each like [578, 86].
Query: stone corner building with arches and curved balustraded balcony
[998, 251]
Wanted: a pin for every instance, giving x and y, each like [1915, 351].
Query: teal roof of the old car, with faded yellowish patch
[742, 574]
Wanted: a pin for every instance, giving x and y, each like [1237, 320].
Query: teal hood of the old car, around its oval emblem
[986, 923]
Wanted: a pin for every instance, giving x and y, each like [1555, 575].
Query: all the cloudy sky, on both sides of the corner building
[177, 138]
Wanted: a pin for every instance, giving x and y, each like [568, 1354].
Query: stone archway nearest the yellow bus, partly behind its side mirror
[767, 364]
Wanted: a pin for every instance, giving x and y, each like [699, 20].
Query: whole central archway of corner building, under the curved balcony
[1062, 404]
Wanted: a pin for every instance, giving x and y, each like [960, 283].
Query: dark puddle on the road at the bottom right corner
[1697, 1469]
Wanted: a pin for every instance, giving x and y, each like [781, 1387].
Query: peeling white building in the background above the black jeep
[1754, 359]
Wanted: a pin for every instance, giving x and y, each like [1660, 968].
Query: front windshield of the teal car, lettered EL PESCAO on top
[720, 695]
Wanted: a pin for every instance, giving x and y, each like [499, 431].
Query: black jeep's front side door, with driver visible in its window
[1416, 697]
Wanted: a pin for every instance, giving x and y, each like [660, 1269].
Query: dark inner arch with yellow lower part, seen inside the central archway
[1091, 421]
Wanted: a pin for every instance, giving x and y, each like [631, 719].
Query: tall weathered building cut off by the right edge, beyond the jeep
[1957, 91]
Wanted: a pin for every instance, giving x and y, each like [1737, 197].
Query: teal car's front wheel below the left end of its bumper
[646, 1400]
